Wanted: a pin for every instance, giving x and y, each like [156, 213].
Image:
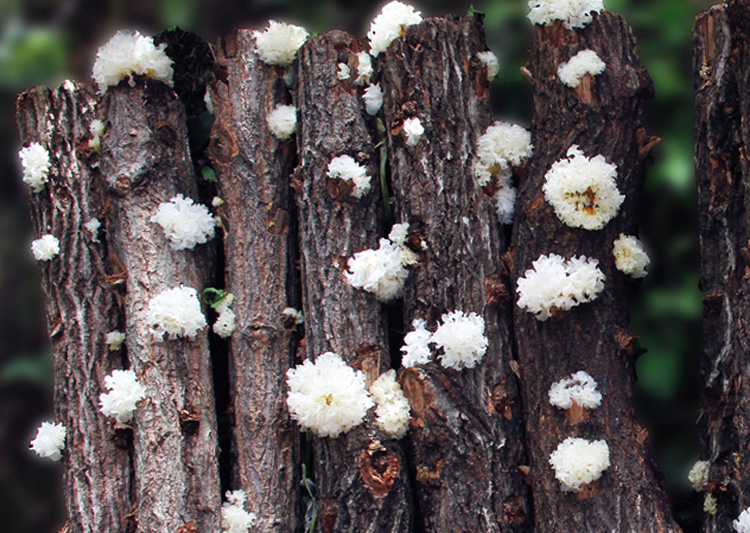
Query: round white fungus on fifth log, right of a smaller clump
[461, 338]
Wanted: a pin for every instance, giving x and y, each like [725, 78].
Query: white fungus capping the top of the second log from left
[129, 54]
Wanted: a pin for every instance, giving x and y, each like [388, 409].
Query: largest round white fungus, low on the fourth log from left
[328, 396]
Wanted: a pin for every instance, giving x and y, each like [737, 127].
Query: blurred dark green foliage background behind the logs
[43, 42]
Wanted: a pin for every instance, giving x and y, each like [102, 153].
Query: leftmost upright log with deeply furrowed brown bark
[81, 307]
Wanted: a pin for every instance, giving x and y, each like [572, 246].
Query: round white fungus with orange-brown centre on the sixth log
[583, 191]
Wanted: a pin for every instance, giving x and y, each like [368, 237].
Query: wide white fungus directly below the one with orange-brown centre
[554, 284]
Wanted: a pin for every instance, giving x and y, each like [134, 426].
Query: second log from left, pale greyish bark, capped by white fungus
[145, 162]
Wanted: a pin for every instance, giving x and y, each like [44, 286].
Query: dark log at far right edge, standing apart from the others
[722, 108]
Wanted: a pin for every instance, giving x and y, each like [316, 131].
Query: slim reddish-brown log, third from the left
[253, 170]
